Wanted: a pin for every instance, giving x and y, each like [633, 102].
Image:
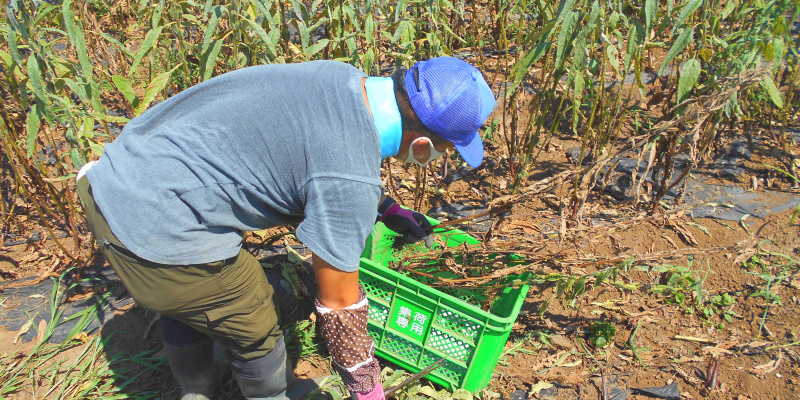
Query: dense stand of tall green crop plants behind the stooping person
[578, 66]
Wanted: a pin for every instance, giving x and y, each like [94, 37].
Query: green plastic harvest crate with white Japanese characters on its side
[415, 325]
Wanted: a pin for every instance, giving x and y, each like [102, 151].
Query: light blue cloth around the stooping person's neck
[382, 103]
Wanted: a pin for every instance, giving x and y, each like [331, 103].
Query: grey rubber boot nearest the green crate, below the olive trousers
[271, 377]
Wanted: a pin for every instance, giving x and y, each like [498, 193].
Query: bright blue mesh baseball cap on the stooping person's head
[452, 99]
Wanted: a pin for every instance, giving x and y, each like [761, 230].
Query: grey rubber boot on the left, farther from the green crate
[194, 368]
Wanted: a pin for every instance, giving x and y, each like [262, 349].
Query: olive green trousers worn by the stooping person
[228, 300]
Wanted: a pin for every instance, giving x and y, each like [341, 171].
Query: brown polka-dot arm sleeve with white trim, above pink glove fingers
[349, 344]
